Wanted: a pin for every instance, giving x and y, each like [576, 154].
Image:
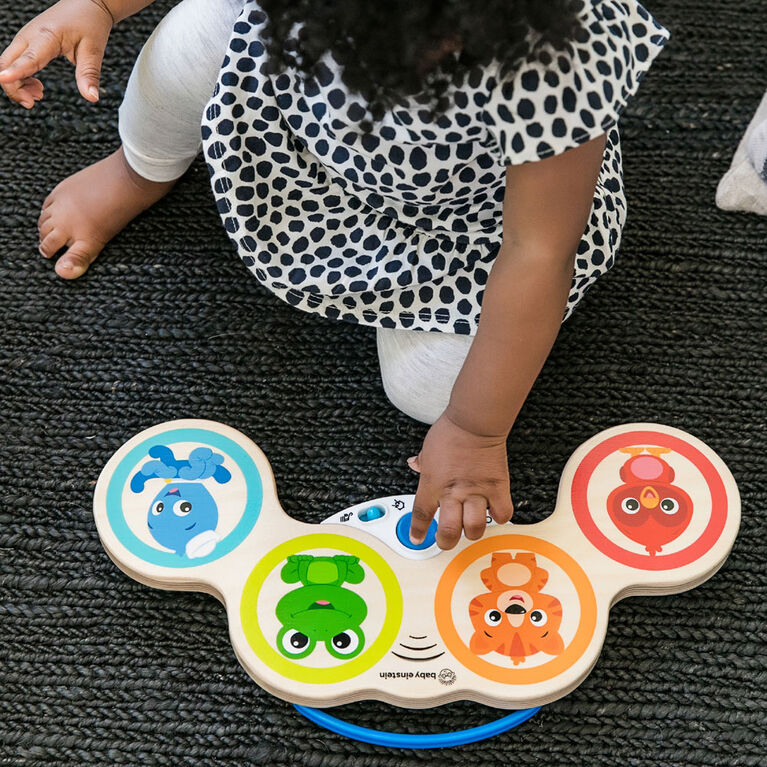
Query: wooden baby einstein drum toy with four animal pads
[350, 609]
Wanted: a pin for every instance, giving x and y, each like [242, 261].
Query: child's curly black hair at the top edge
[394, 49]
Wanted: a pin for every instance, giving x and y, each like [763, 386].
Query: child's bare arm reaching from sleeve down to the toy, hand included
[463, 462]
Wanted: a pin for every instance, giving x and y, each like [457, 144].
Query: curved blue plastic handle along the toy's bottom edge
[405, 740]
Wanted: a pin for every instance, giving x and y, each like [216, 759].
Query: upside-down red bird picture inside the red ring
[648, 508]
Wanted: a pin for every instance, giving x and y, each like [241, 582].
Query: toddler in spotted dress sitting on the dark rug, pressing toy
[448, 172]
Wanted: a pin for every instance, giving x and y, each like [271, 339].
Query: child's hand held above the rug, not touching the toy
[77, 29]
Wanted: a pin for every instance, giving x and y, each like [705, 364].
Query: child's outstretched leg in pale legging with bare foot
[160, 118]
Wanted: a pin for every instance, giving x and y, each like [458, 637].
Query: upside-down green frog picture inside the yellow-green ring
[320, 609]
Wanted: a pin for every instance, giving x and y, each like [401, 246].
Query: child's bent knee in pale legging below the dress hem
[418, 369]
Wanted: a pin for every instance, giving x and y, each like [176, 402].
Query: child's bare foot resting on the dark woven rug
[90, 207]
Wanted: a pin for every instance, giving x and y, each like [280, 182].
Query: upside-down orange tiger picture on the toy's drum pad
[514, 618]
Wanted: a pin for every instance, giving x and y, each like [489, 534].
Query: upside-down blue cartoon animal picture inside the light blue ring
[183, 516]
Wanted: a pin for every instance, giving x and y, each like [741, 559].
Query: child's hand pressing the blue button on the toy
[465, 475]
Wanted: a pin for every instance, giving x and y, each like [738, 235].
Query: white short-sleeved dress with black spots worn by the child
[399, 228]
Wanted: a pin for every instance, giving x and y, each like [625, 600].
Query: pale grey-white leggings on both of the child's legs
[159, 124]
